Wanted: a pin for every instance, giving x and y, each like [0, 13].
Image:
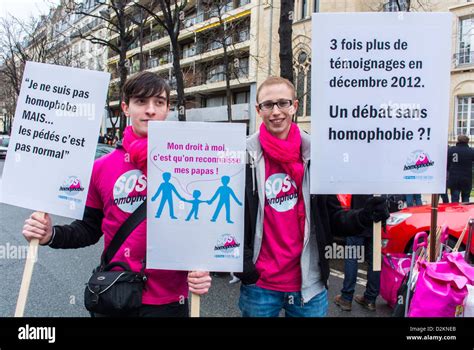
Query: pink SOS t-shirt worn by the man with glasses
[279, 259]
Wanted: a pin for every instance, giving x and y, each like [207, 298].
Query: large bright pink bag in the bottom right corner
[441, 287]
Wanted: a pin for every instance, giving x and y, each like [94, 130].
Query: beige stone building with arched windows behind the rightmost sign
[461, 100]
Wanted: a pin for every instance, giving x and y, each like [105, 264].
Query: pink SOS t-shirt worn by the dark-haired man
[118, 188]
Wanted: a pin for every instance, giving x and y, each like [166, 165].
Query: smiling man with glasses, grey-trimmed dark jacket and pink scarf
[286, 228]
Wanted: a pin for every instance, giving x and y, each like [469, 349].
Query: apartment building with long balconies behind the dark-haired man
[201, 44]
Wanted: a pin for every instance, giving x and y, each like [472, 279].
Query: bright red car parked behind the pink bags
[402, 226]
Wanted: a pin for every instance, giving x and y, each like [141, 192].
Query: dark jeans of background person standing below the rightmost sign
[350, 271]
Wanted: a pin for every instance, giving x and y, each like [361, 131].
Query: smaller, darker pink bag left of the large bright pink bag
[394, 269]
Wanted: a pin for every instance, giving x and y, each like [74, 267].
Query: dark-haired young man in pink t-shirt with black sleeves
[145, 98]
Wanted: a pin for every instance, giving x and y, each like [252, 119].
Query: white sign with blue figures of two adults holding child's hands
[195, 201]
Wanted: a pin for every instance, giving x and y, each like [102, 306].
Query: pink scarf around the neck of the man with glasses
[288, 154]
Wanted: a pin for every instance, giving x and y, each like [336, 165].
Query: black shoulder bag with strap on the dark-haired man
[119, 292]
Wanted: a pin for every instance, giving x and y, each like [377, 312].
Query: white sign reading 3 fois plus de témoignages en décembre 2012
[380, 93]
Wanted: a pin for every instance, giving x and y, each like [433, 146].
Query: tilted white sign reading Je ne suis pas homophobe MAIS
[53, 139]
